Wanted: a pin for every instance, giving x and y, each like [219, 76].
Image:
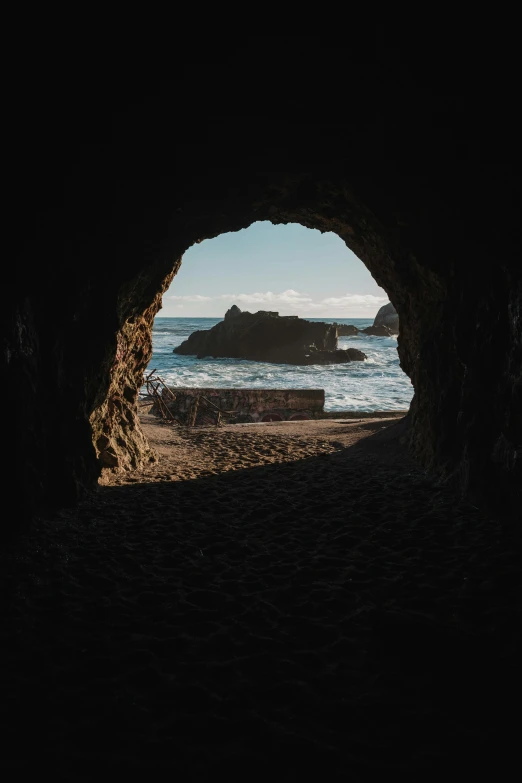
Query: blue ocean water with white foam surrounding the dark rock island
[378, 383]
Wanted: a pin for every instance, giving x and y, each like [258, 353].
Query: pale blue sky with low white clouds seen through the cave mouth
[287, 268]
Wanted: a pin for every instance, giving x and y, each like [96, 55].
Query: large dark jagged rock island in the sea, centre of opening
[268, 337]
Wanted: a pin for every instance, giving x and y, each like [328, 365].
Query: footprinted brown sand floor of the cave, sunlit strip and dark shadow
[285, 601]
